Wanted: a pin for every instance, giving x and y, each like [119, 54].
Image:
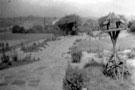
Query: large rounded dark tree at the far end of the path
[69, 24]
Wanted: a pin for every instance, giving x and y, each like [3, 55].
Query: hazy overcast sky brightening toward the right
[85, 8]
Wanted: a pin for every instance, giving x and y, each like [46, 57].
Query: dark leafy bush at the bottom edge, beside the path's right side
[73, 79]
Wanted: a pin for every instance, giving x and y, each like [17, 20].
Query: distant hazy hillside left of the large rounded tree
[6, 22]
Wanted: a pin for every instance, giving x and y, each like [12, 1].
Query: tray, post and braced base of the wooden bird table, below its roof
[115, 66]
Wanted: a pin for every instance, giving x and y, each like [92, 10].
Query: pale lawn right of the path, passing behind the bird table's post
[105, 44]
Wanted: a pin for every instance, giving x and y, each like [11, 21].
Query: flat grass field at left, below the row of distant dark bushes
[15, 40]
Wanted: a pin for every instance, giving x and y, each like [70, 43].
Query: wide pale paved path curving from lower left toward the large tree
[46, 74]
